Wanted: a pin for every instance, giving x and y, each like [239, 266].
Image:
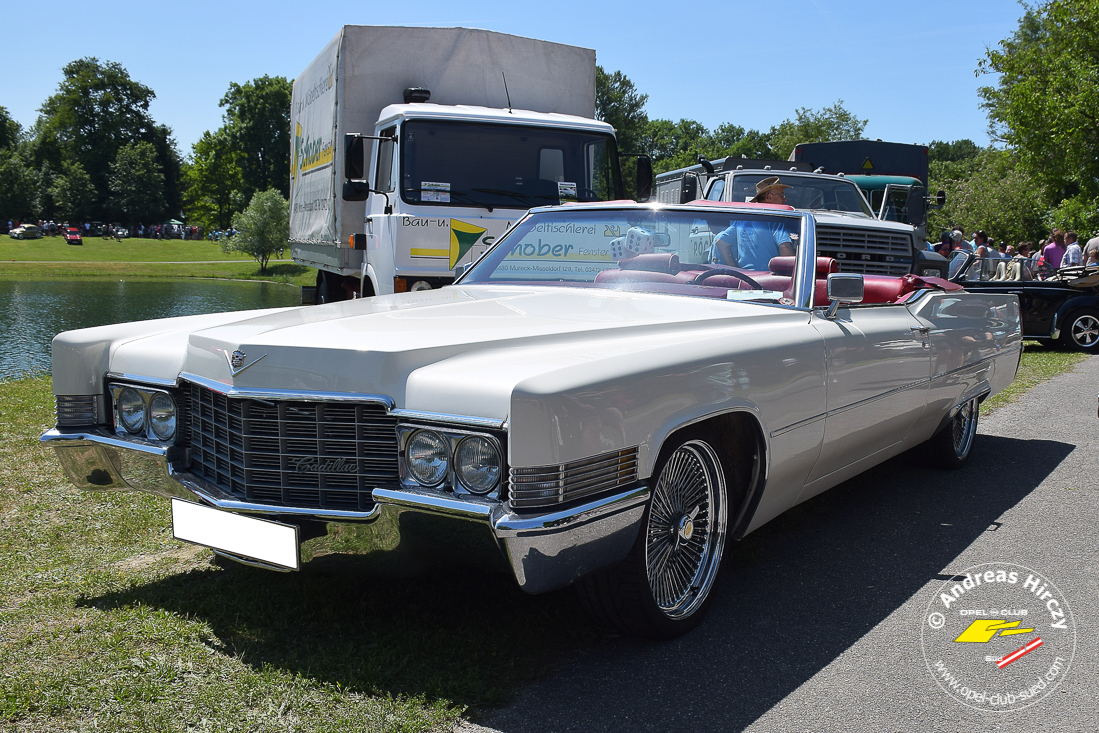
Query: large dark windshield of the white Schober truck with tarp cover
[463, 164]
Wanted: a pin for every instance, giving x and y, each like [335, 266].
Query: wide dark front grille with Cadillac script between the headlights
[317, 456]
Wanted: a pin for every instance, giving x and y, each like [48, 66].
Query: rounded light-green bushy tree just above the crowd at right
[998, 196]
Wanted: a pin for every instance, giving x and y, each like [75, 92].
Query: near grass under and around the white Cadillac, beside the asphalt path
[107, 624]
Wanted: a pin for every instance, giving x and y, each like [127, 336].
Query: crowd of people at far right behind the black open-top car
[1060, 250]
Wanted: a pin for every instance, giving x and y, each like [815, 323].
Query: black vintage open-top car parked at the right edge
[1063, 308]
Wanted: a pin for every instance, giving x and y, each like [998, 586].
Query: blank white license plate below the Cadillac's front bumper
[237, 535]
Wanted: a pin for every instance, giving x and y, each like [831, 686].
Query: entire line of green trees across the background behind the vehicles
[95, 153]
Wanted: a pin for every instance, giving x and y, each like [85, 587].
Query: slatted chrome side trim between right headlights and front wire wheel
[547, 486]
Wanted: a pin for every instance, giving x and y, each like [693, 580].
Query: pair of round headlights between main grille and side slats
[434, 457]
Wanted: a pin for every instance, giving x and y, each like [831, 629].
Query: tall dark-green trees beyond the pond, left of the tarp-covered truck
[96, 154]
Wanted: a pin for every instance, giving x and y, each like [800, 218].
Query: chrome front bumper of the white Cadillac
[405, 531]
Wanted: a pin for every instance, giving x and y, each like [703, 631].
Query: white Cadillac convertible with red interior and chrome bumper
[594, 403]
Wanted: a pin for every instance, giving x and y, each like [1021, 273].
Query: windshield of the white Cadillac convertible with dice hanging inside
[717, 254]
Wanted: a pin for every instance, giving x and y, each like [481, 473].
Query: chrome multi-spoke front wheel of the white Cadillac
[686, 530]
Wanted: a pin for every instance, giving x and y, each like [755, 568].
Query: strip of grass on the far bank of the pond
[139, 259]
